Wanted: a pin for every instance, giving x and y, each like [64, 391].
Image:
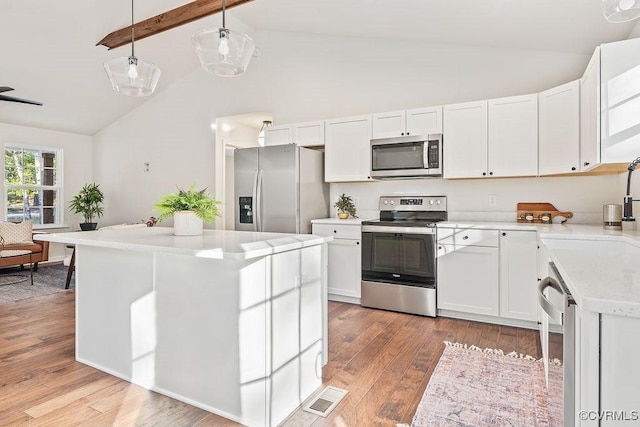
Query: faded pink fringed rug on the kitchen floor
[475, 387]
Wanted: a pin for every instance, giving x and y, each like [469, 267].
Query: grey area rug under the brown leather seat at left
[49, 279]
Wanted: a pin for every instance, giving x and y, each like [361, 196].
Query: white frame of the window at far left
[58, 187]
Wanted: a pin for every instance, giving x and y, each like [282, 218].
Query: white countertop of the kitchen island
[216, 244]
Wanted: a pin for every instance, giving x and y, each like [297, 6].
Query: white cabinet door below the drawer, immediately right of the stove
[468, 279]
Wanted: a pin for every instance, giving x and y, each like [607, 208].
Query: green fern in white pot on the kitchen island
[189, 209]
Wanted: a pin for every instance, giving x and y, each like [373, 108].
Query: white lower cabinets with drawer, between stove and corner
[488, 272]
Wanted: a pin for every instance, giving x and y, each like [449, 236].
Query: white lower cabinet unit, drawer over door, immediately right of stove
[468, 271]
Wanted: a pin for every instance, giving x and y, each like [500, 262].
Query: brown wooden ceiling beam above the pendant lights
[167, 20]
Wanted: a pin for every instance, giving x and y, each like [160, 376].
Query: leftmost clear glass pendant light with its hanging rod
[130, 75]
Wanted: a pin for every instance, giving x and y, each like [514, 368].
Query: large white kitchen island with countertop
[232, 322]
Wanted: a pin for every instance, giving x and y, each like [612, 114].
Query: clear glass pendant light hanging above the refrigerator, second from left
[223, 52]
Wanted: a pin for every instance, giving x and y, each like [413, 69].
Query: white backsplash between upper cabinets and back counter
[469, 199]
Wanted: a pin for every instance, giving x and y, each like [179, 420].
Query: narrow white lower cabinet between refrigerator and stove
[345, 254]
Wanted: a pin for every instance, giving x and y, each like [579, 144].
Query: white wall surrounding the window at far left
[77, 164]
